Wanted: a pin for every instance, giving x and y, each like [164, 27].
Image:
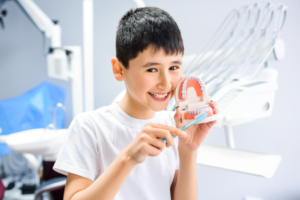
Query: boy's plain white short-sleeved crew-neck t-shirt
[96, 138]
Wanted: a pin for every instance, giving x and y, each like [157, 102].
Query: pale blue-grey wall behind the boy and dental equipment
[23, 66]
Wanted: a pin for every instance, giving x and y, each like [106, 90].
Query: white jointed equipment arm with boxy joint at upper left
[63, 62]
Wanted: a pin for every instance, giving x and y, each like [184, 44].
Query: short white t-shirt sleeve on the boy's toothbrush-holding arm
[79, 154]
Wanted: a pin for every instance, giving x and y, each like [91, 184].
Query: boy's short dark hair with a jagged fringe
[146, 26]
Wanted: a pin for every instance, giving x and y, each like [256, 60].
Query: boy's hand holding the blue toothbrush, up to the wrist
[149, 141]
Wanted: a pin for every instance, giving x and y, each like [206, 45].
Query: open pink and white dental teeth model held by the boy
[192, 98]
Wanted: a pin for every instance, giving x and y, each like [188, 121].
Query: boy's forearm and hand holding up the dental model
[185, 186]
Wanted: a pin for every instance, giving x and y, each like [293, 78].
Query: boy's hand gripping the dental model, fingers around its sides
[196, 133]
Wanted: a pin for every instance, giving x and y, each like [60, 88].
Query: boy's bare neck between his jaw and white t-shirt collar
[135, 109]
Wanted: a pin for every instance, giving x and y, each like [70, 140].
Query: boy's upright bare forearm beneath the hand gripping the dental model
[184, 184]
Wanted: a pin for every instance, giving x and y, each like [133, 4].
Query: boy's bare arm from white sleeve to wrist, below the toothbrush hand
[105, 187]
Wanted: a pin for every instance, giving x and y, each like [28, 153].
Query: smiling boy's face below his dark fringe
[151, 79]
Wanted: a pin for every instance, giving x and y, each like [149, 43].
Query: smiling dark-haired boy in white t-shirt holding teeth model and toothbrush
[117, 152]
